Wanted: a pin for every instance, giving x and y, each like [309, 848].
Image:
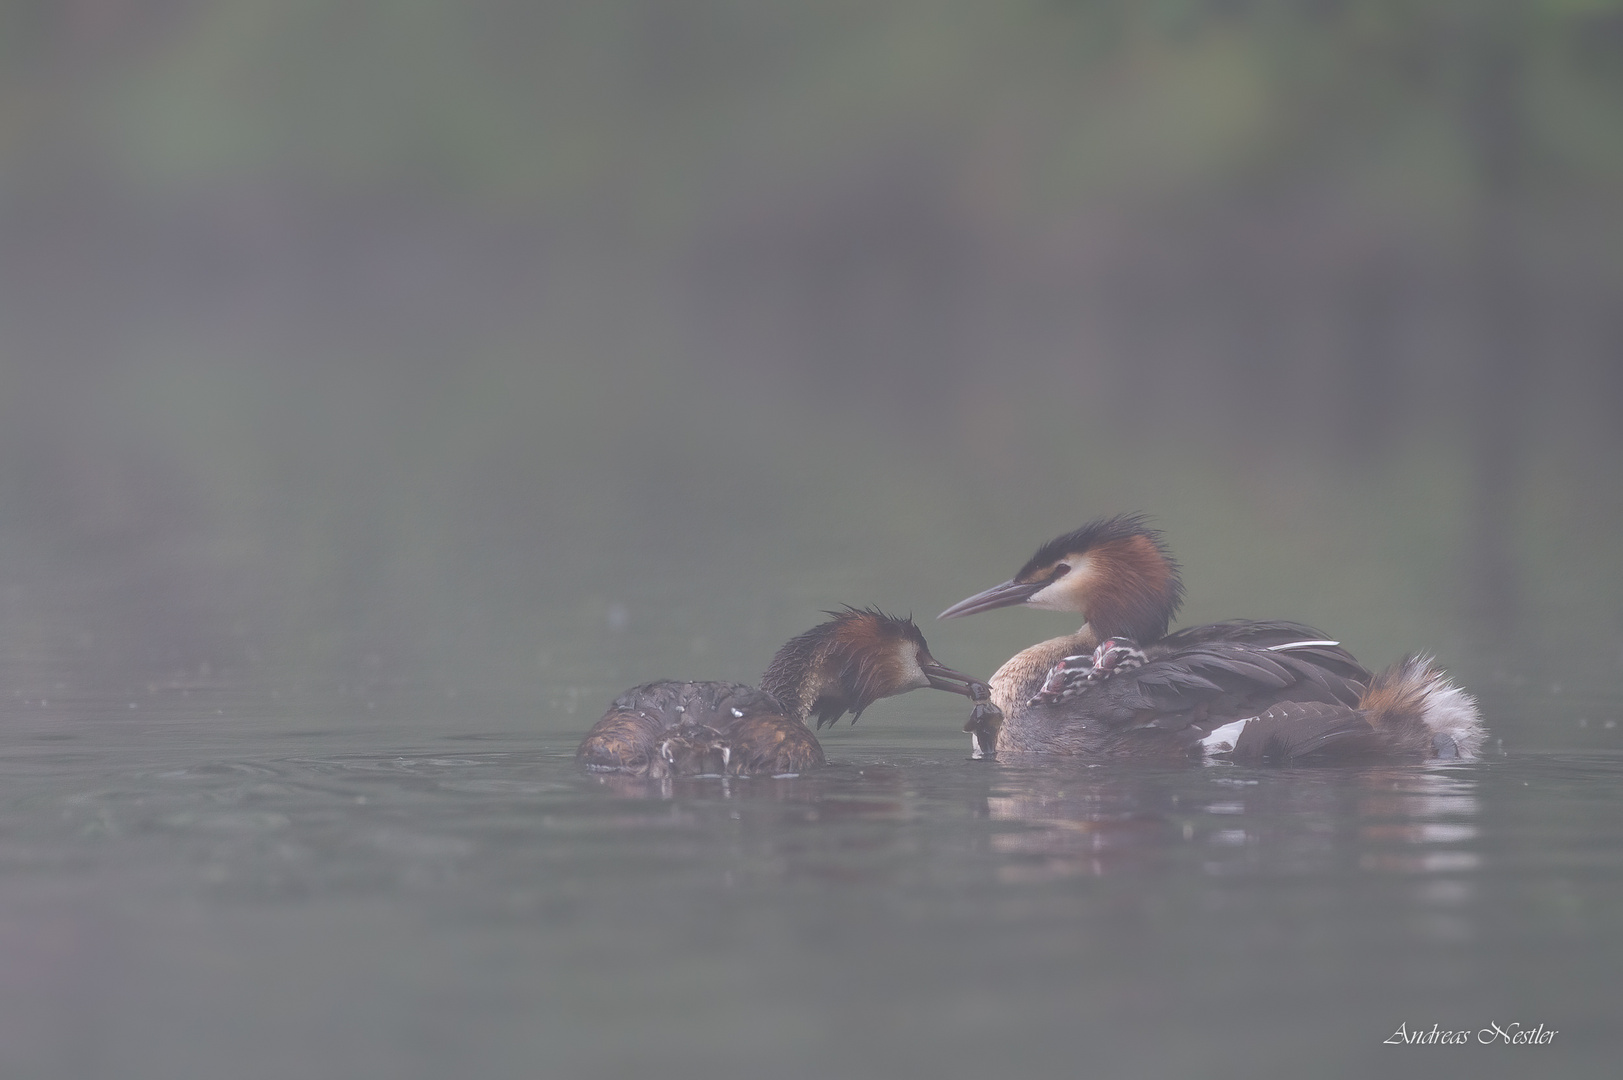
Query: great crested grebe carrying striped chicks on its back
[1124, 686]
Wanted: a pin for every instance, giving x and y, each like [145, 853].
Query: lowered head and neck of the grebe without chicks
[855, 660]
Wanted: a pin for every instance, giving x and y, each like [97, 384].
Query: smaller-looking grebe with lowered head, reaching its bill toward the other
[699, 728]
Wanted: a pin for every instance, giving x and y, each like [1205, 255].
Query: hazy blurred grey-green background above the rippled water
[501, 355]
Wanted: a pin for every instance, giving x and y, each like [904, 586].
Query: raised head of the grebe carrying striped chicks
[1117, 572]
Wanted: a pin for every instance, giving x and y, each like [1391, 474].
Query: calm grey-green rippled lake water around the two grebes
[210, 881]
